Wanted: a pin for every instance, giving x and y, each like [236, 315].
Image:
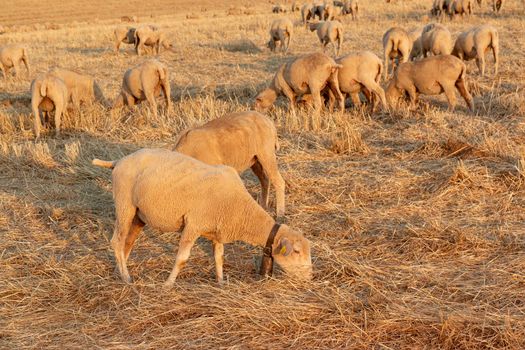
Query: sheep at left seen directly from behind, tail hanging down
[48, 93]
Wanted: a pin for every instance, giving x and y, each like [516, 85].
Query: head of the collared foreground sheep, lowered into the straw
[291, 251]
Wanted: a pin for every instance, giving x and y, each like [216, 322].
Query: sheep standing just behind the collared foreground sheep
[241, 140]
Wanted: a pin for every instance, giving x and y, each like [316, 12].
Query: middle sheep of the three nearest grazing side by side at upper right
[360, 72]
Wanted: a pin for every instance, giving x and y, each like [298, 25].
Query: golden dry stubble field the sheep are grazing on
[417, 217]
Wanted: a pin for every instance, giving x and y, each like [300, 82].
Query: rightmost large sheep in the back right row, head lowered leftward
[475, 42]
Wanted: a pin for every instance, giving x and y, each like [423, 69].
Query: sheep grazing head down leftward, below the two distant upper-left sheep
[144, 82]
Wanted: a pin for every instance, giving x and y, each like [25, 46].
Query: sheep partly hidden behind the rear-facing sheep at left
[80, 87]
